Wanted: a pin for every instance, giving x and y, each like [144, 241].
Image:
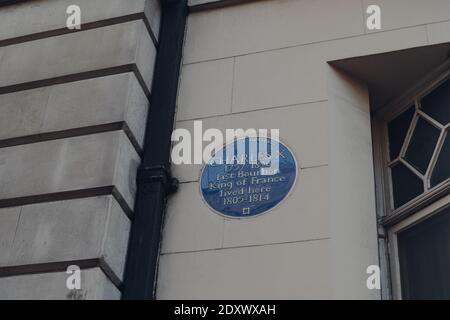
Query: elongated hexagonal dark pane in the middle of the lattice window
[422, 145]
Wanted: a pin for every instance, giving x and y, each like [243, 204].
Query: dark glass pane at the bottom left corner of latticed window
[405, 184]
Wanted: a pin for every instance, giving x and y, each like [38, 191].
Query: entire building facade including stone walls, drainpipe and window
[365, 112]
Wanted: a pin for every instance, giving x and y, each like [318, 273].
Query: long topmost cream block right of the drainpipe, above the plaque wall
[265, 25]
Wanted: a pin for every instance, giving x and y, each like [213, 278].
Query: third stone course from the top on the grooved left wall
[72, 105]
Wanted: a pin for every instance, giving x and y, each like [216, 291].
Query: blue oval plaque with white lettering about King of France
[244, 185]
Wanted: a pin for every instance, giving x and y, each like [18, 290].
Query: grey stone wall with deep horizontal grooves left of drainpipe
[73, 106]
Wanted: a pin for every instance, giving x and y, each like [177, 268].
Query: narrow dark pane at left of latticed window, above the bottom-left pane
[398, 128]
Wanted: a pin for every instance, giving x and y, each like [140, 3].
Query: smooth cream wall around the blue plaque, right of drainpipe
[264, 65]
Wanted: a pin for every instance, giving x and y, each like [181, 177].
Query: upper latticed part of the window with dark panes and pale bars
[416, 162]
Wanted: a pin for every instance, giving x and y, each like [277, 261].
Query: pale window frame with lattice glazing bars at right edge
[392, 220]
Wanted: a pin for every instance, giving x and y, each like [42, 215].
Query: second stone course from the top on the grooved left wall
[85, 51]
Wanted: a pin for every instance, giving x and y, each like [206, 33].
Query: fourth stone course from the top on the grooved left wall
[105, 159]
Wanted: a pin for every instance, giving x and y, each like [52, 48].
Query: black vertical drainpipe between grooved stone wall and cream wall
[154, 180]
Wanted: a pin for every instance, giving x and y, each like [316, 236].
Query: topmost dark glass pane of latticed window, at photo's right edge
[437, 103]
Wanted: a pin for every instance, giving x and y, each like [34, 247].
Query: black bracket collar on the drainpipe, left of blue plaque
[158, 174]
